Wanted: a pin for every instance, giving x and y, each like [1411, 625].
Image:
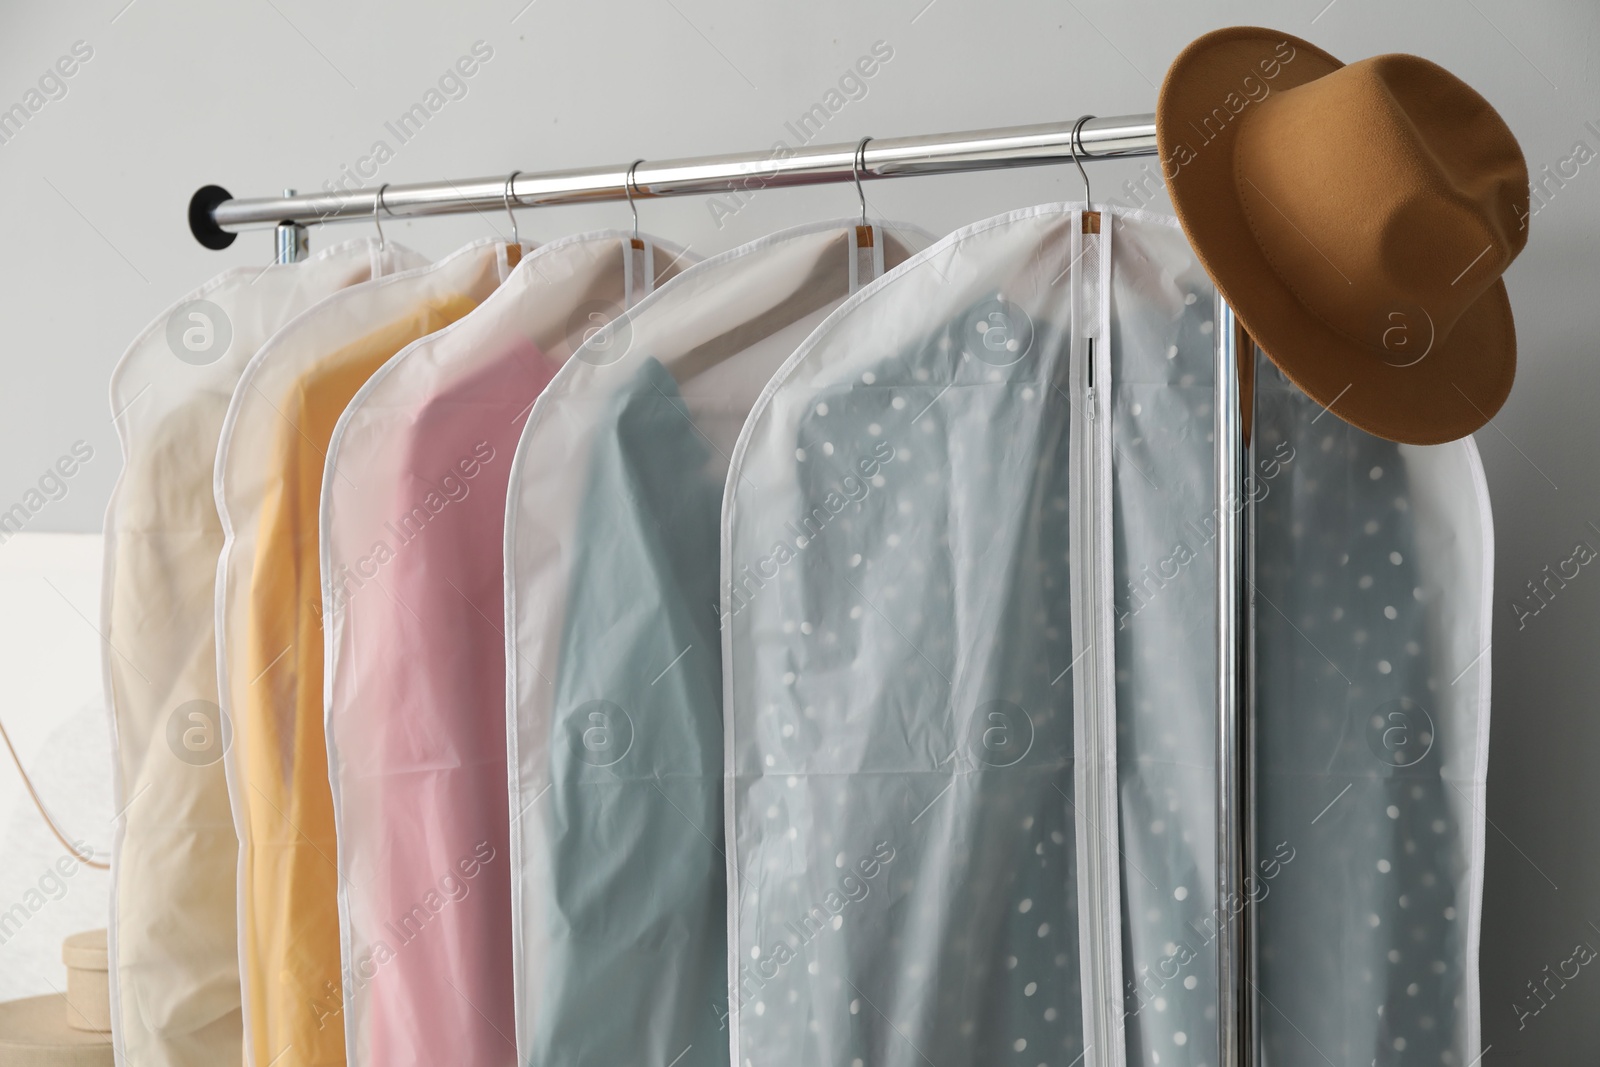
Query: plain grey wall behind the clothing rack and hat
[268, 94]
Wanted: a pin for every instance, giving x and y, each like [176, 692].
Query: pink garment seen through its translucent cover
[433, 682]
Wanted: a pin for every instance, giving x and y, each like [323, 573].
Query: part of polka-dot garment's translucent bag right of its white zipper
[1372, 620]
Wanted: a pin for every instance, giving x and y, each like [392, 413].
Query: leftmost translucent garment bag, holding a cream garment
[174, 933]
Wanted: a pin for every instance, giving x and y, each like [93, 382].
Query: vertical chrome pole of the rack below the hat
[1236, 965]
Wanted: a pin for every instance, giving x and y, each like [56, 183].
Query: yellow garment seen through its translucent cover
[289, 877]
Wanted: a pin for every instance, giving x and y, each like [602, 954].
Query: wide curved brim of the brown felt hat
[1450, 391]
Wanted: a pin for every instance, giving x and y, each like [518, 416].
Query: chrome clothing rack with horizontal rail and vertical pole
[215, 220]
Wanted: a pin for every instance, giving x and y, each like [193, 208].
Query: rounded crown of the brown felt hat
[1386, 196]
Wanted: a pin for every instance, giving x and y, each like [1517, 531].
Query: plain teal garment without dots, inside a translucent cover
[636, 881]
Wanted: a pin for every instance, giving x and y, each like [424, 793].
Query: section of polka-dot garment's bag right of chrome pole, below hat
[1374, 573]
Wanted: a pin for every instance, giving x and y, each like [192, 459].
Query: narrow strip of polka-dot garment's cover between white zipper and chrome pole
[1164, 526]
